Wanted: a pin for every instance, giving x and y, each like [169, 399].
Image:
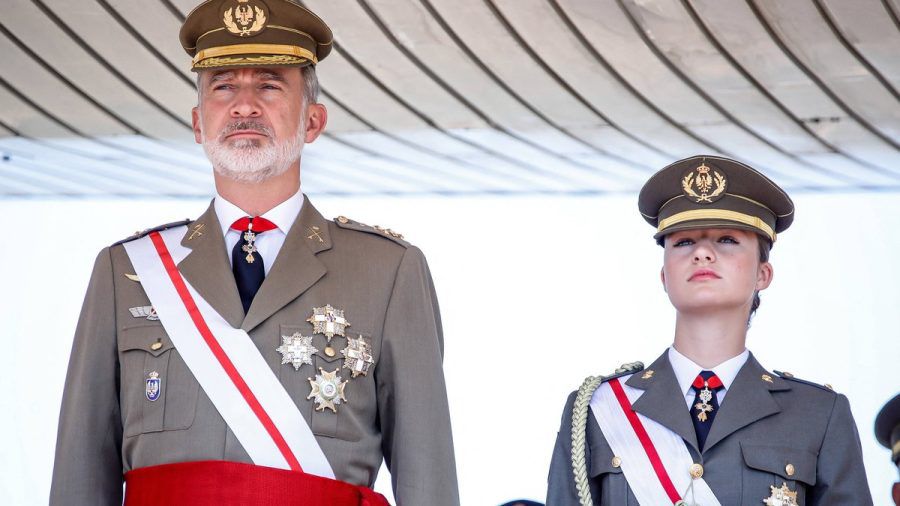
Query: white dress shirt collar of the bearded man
[268, 244]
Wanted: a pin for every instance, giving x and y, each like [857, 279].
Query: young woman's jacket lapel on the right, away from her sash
[749, 399]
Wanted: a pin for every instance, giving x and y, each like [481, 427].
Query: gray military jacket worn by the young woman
[764, 423]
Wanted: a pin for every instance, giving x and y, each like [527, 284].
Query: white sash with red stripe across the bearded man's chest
[226, 363]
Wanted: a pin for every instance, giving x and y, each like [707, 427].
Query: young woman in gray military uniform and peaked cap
[705, 423]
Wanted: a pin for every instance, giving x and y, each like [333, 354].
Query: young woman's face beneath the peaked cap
[713, 269]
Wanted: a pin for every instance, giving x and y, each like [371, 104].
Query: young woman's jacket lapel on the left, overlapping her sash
[662, 400]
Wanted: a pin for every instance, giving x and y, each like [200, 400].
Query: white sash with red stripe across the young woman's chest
[636, 464]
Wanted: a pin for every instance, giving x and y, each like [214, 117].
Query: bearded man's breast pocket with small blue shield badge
[158, 391]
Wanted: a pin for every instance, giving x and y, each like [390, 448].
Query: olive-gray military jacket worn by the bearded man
[397, 412]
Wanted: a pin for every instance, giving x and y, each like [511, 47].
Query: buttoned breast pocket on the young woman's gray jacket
[777, 466]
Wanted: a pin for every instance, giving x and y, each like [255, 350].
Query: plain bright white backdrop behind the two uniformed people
[536, 293]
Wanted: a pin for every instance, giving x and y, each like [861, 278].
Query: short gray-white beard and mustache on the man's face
[247, 160]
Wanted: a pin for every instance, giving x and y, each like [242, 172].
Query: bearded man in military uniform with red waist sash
[259, 354]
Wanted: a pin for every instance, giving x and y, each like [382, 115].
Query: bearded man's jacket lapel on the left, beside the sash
[208, 269]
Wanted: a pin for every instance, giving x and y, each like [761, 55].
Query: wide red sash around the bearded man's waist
[218, 483]
